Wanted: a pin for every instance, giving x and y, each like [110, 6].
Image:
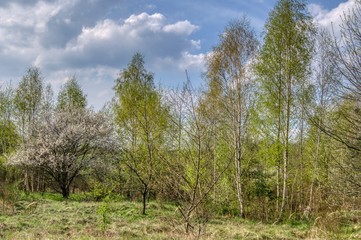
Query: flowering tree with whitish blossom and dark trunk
[64, 143]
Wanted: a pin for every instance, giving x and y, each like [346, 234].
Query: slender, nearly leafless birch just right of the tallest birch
[324, 95]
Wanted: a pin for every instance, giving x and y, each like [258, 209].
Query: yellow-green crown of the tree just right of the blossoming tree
[139, 104]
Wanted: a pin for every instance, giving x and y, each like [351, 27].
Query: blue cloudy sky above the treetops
[95, 39]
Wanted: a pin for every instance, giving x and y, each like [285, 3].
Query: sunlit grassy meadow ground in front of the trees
[52, 218]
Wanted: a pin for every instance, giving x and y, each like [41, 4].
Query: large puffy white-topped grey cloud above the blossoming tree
[111, 43]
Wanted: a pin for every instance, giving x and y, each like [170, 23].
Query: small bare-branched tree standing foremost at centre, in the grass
[191, 159]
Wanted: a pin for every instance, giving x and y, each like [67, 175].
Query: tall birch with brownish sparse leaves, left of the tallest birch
[227, 104]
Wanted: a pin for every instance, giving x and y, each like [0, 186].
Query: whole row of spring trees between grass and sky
[275, 134]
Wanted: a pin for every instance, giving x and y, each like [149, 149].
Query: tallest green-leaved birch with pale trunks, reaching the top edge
[283, 67]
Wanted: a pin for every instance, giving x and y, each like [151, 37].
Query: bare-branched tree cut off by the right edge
[343, 123]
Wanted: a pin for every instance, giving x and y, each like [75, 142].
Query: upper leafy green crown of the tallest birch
[284, 61]
